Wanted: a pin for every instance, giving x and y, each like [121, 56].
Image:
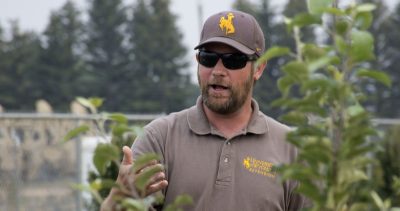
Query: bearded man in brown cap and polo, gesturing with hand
[222, 150]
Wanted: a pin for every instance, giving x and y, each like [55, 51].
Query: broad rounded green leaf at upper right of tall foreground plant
[362, 46]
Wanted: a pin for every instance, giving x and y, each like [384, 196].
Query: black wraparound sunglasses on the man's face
[232, 61]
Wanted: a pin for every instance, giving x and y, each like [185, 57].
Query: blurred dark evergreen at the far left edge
[19, 57]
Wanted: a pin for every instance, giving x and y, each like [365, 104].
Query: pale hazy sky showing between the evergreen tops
[34, 15]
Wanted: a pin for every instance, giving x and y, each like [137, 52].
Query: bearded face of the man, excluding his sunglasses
[224, 91]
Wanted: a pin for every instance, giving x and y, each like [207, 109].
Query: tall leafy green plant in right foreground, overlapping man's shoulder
[321, 91]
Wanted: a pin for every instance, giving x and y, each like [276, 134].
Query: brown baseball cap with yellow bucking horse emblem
[234, 28]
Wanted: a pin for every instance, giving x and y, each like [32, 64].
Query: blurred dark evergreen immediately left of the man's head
[161, 83]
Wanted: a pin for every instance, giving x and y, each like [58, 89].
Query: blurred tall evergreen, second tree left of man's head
[107, 54]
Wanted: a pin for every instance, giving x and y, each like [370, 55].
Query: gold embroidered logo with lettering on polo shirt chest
[259, 167]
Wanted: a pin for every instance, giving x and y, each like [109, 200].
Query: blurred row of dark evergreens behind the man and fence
[133, 56]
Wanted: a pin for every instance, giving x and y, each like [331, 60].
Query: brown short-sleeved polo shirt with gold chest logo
[219, 173]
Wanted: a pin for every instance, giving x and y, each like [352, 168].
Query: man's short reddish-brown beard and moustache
[238, 96]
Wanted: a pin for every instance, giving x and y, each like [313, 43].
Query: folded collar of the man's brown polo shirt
[199, 124]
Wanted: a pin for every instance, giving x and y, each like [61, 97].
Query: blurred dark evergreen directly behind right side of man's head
[275, 34]
